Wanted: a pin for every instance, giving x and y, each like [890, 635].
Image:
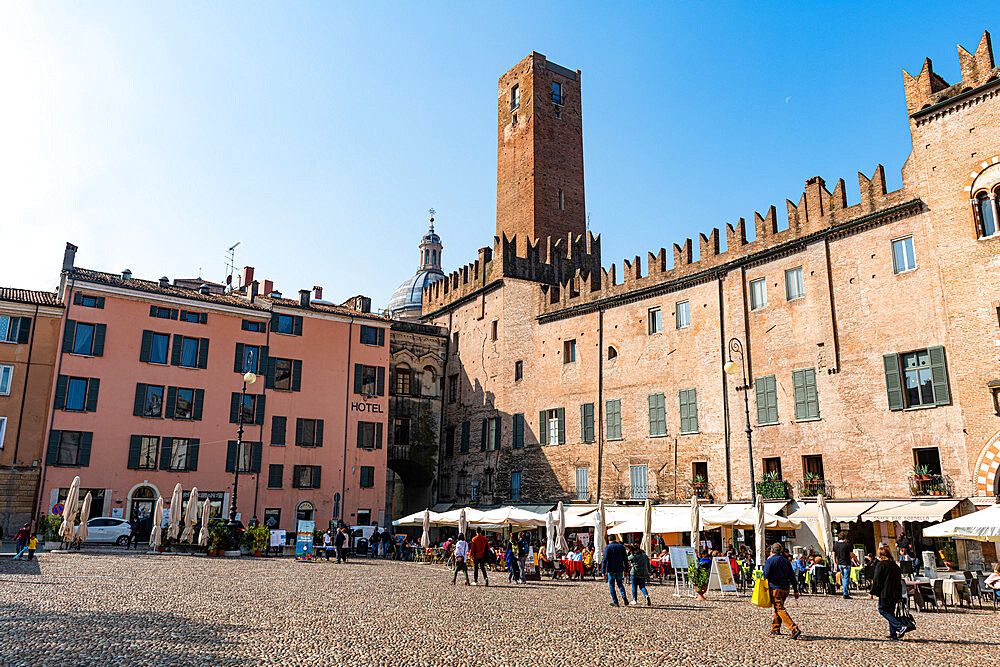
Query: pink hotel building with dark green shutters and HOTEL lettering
[147, 393]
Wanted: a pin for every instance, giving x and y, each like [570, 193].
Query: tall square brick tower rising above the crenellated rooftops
[539, 152]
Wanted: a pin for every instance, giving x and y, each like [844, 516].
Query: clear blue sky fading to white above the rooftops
[154, 136]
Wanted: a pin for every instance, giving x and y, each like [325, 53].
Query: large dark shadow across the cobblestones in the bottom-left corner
[139, 637]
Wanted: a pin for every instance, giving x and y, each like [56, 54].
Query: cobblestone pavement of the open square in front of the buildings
[103, 609]
